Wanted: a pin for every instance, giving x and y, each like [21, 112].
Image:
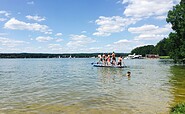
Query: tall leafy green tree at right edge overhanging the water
[177, 18]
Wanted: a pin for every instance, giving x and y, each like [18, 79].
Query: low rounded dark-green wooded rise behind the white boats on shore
[143, 50]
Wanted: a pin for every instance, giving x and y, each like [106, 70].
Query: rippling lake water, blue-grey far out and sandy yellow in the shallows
[72, 86]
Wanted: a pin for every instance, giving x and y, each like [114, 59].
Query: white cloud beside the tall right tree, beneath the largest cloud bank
[150, 32]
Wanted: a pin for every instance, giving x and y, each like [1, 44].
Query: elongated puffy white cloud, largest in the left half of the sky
[15, 24]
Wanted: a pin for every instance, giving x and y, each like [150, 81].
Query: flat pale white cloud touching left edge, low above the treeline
[10, 42]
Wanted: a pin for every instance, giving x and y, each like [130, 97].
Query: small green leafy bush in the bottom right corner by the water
[178, 109]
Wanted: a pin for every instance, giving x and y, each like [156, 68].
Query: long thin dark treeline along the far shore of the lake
[43, 55]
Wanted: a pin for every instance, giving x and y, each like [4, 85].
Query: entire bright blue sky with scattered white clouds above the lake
[80, 26]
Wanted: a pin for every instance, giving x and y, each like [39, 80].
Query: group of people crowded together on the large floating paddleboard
[110, 59]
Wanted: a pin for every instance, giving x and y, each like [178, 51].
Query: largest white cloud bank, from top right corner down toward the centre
[135, 11]
